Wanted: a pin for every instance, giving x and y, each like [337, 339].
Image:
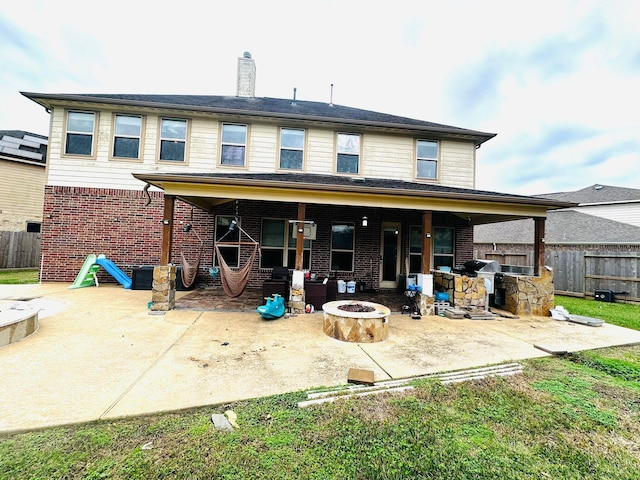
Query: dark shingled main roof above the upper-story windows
[276, 108]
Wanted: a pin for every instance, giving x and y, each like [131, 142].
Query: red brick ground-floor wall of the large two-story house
[80, 221]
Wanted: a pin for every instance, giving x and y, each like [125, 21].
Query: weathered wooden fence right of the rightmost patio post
[583, 272]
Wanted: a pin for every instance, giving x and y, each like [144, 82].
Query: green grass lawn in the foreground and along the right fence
[571, 417]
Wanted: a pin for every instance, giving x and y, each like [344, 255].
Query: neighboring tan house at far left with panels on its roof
[22, 167]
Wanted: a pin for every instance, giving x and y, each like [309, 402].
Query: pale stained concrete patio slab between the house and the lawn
[99, 354]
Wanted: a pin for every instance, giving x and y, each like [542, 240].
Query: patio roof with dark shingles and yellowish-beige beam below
[209, 190]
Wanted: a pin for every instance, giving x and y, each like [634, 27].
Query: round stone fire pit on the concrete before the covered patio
[356, 321]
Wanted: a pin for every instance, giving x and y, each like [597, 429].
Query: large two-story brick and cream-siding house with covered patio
[379, 196]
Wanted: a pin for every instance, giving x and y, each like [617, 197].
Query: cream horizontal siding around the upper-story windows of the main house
[383, 155]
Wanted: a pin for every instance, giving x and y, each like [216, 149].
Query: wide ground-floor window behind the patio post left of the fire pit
[278, 245]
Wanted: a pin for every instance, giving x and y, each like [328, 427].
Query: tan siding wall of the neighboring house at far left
[21, 194]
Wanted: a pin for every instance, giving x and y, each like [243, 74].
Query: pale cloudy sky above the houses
[557, 81]
